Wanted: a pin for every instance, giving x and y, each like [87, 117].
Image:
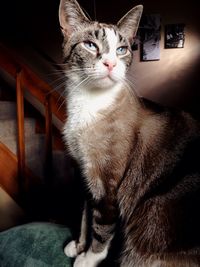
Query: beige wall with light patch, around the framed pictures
[174, 79]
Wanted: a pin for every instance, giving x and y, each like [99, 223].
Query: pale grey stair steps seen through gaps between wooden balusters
[34, 142]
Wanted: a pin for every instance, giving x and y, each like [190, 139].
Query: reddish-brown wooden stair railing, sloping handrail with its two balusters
[26, 79]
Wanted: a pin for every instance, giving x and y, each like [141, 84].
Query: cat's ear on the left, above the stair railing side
[71, 17]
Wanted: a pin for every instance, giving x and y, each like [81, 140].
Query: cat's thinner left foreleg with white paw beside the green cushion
[75, 247]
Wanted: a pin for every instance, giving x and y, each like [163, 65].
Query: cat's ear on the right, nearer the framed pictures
[129, 23]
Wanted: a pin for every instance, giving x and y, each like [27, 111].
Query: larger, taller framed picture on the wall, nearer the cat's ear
[150, 37]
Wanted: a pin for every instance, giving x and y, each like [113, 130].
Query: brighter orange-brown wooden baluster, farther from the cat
[20, 127]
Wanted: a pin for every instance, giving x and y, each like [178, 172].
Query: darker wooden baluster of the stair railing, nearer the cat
[48, 140]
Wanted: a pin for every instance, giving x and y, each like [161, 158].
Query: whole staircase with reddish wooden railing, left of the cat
[34, 166]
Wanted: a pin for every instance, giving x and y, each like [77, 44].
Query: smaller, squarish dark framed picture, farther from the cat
[174, 35]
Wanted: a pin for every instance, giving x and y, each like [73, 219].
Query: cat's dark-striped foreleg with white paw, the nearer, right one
[103, 231]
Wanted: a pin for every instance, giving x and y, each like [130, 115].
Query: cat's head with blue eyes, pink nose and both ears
[96, 54]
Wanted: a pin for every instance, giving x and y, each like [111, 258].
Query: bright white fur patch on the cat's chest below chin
[84, 108]
